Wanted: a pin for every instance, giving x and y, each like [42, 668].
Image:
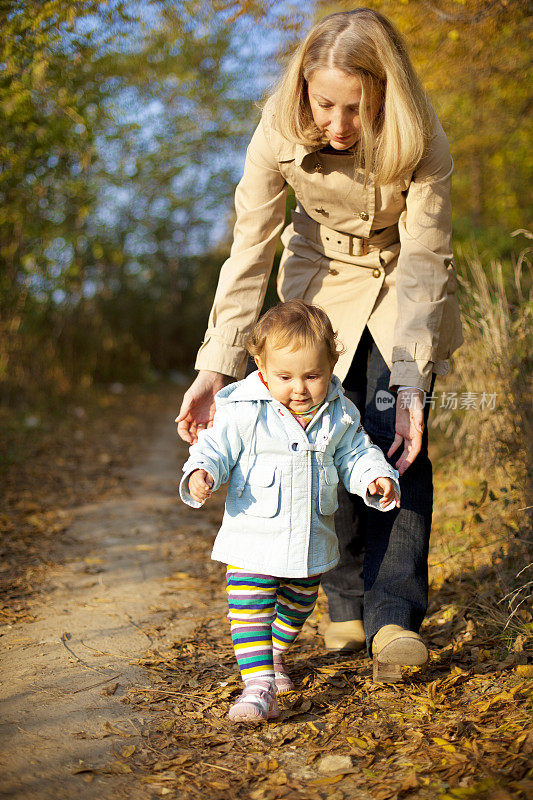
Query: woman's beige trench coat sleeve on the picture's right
[424, 265]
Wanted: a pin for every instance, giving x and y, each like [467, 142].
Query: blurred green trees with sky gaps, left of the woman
[118, 133]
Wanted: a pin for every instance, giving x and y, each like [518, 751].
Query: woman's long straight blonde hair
[362, 43]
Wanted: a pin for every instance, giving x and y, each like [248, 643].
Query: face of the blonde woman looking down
[334, 97]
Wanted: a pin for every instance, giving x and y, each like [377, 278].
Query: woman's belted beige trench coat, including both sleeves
[376, 256]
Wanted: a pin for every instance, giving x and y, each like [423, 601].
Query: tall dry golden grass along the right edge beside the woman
[492, 443]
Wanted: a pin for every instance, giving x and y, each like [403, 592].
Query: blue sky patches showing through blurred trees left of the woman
[255, 44]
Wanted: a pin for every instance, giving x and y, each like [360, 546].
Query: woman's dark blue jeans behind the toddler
[382, 576]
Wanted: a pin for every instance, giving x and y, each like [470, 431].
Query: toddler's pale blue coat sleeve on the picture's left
[216, 451]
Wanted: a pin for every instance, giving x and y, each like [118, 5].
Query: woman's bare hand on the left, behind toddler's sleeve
[198, 407]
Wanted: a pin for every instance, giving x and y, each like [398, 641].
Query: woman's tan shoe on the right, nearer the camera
[394, 647]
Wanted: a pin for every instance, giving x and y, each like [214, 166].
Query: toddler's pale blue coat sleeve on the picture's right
[359, 462]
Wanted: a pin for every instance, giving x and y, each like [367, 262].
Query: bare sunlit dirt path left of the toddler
[65, 674]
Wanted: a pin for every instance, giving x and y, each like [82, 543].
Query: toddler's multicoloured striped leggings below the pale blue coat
[266, 614]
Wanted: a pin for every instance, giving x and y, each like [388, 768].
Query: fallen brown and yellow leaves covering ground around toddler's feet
[458, 728]
